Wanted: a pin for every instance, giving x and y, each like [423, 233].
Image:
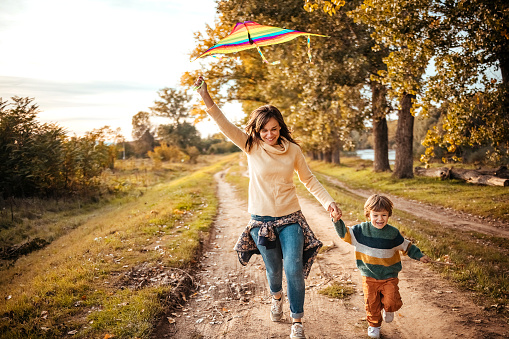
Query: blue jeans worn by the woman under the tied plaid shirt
[288, 254]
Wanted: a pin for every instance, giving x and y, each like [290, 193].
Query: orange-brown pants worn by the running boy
[378, 295]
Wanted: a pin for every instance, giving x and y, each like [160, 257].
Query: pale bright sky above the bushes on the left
[92, 63]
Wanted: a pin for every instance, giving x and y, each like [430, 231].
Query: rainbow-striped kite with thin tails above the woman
[249, 34]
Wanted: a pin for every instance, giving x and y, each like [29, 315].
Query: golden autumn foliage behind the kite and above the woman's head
[323, 100]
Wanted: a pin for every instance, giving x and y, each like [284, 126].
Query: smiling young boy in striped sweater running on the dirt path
[377, 246]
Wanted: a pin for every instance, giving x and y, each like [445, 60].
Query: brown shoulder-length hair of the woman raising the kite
[259, 118]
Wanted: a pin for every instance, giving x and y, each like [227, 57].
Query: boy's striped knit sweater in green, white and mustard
[377, 251]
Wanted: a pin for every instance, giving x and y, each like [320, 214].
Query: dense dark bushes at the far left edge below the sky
[40, 160]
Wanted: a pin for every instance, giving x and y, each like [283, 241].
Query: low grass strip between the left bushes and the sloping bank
[127, 182]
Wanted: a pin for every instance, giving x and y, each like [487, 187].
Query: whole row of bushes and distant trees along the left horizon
[40, 159]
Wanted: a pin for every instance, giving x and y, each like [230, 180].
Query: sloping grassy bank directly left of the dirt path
[80, 284]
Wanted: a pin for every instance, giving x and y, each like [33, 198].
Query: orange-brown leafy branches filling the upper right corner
[453, 55]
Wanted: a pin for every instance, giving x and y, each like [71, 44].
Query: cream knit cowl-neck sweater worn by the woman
[271, 189]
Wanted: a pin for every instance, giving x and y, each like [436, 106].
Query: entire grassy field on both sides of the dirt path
[115, 265]
